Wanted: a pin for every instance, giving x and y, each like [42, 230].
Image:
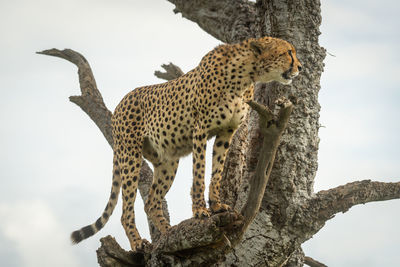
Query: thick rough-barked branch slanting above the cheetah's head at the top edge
[227, 20]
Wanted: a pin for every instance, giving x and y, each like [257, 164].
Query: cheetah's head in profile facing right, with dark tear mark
[273, 60]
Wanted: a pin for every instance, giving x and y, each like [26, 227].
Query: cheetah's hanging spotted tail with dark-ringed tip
[89, 230]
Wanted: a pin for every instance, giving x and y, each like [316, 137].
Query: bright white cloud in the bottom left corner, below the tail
[37, 235]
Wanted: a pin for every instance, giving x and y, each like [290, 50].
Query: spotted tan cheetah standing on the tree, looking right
[167, 121]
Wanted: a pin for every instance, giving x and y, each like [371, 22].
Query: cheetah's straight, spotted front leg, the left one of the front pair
[199, 152]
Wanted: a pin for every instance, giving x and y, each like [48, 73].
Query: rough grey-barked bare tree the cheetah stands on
[290, 212]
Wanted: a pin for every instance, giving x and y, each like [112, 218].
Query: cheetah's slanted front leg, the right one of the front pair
[221, 145]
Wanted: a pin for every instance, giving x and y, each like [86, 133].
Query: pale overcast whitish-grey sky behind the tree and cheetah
[55, 170]
